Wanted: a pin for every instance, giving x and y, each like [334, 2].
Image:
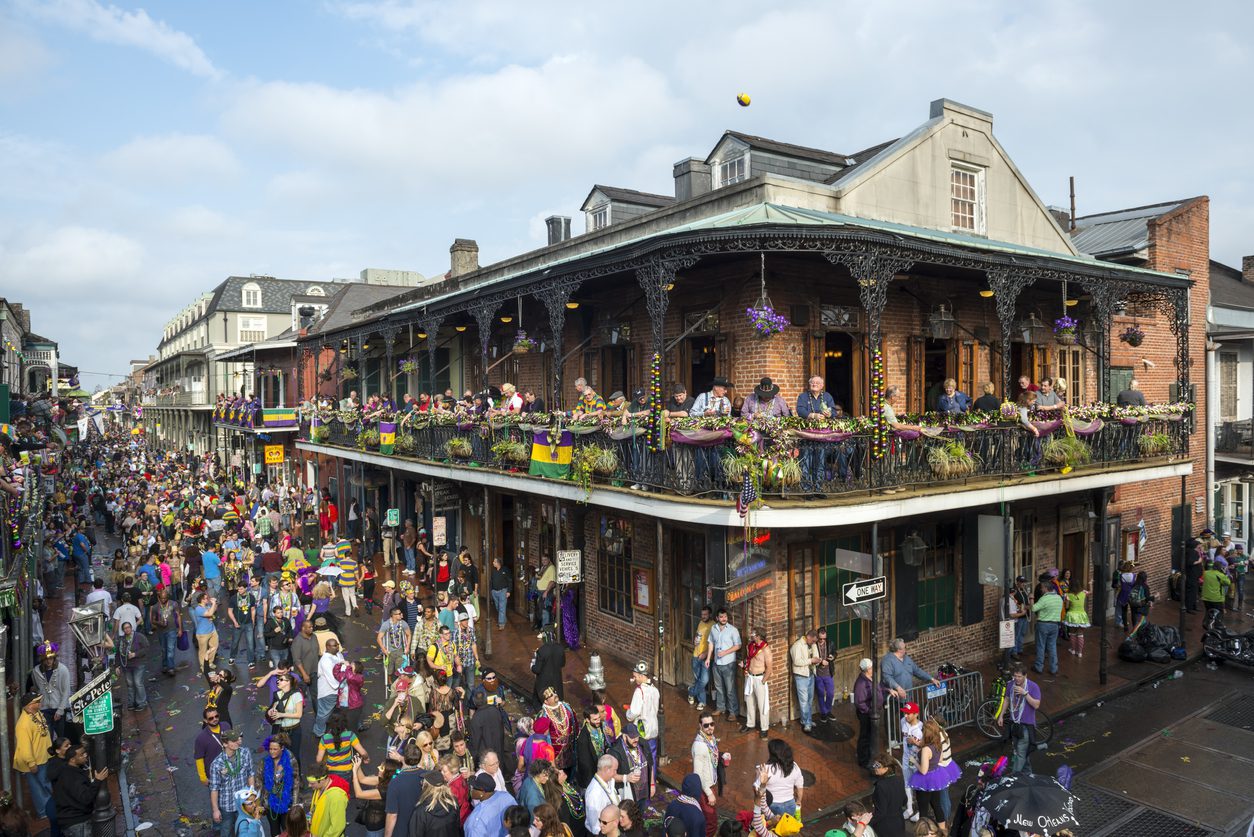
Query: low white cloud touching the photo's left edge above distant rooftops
[73, 259]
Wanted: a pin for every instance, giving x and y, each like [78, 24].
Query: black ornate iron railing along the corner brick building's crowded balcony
[826, 469]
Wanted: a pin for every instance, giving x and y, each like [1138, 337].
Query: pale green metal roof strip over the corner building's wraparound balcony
[782, 216]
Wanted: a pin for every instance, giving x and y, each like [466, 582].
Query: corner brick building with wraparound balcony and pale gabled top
[917, 260]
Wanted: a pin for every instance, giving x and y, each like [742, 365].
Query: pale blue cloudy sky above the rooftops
[147, 152]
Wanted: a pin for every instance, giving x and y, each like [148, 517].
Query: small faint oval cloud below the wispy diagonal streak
[174, 159]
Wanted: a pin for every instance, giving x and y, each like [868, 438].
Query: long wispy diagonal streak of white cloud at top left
[113, 26]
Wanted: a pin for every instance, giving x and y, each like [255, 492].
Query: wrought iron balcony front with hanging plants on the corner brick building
[827, 465]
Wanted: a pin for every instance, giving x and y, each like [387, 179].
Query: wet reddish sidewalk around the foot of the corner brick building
[827, 759]
